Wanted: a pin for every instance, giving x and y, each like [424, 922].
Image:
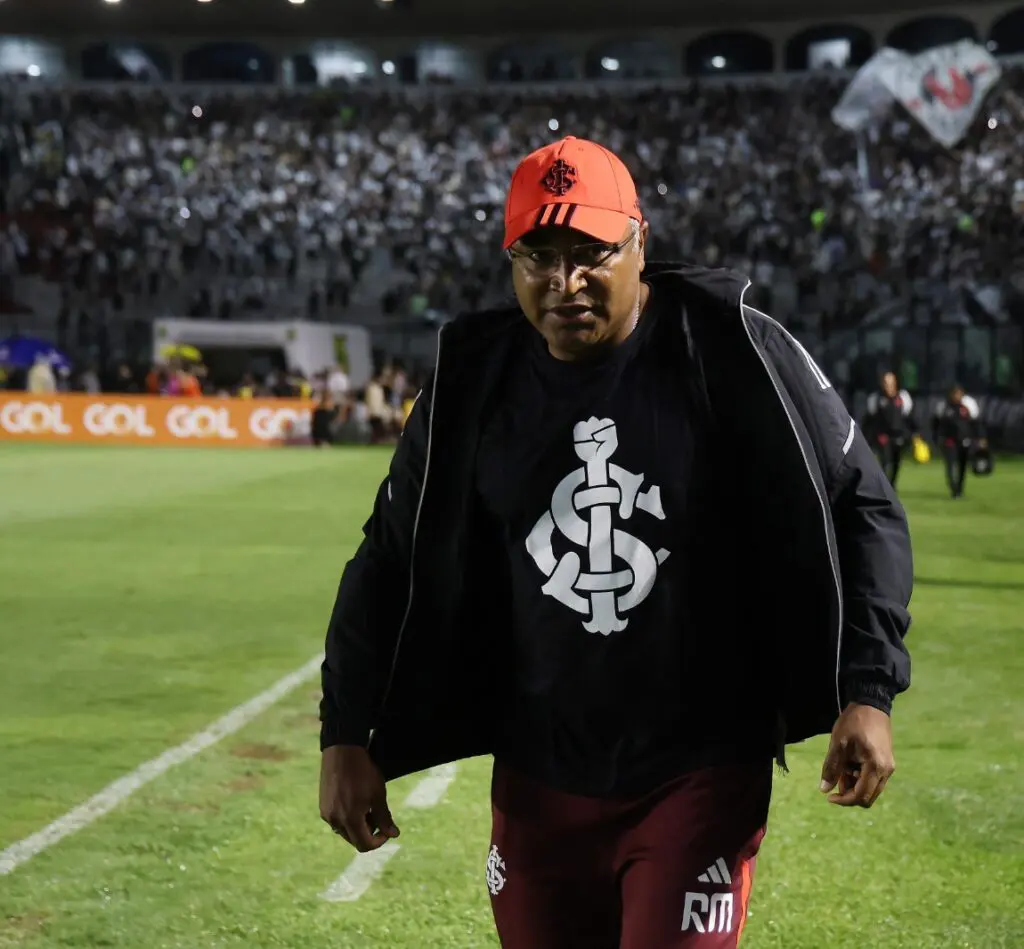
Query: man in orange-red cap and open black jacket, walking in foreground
[645, 547]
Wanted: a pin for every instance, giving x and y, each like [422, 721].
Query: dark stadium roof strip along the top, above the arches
[344, 19]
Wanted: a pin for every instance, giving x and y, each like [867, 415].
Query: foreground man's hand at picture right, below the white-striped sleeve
[860, 759]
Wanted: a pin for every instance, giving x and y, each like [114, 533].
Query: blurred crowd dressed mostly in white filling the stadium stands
[142, 194]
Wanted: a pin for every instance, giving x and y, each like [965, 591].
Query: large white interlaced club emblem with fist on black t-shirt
[621, 570]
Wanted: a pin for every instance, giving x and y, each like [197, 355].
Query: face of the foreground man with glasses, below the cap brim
[579, 294]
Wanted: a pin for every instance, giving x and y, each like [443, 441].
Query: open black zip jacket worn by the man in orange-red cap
[415, 658]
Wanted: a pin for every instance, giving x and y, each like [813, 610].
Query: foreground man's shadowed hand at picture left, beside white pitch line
[354, 799]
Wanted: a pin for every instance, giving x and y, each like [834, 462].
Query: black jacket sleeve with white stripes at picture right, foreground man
[872, 534]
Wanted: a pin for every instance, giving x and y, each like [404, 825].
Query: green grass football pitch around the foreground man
[144, 594]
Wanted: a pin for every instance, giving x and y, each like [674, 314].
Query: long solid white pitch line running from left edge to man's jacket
[107, 800]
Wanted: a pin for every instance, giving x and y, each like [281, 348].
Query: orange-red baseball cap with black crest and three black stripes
[573, 184]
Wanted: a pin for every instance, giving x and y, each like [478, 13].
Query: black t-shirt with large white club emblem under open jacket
[592, 472]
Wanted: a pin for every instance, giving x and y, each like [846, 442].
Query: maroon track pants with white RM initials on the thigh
[670, 871]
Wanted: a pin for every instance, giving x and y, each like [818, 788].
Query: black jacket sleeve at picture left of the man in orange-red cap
[372, 599]
